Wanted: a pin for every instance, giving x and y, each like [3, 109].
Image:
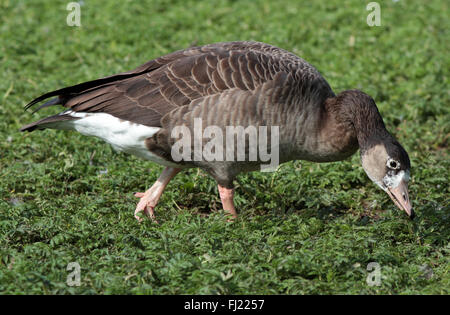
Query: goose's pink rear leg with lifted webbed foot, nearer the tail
[150, 198]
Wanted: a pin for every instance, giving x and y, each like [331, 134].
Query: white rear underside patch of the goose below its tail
[124, 136]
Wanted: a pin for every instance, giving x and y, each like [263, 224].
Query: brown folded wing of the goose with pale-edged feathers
[151, 91]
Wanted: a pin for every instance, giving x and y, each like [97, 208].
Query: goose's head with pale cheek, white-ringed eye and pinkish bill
[387, 165]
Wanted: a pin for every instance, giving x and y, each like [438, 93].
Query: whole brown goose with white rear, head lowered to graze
[167, 108]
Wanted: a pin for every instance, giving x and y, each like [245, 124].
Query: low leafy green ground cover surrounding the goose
[307, 228]
